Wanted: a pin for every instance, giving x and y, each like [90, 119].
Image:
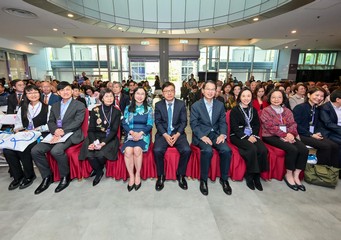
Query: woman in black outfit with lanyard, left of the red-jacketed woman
[244, 133]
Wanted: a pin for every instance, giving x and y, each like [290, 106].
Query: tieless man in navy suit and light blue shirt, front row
[208, 123]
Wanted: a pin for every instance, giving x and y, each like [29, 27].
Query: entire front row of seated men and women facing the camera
[279, 127]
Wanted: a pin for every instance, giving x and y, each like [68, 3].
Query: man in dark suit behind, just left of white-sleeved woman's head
[15, 99]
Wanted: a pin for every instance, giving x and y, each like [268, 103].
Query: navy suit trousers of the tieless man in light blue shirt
[206, 153]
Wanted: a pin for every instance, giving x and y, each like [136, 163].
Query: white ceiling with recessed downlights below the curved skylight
[317, 25]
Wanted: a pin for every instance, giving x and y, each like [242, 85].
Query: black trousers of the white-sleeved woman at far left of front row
[14, 158]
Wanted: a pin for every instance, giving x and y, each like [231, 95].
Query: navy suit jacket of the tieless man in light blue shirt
[200, 121]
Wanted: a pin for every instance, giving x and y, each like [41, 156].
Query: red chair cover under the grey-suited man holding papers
[72, 153]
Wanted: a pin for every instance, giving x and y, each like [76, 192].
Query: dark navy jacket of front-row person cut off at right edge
[328, 119]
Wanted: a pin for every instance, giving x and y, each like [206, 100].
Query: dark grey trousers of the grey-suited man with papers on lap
[57, 151]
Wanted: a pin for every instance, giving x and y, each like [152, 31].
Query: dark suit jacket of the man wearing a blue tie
[179, 120]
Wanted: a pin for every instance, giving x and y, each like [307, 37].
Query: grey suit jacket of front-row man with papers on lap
[72, 121]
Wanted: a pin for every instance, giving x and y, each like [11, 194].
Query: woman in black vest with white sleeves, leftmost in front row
[32, 115]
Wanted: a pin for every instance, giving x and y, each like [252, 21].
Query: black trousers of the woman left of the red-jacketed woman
[255, 154]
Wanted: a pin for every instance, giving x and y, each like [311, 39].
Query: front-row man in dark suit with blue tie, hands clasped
[171, 121]
